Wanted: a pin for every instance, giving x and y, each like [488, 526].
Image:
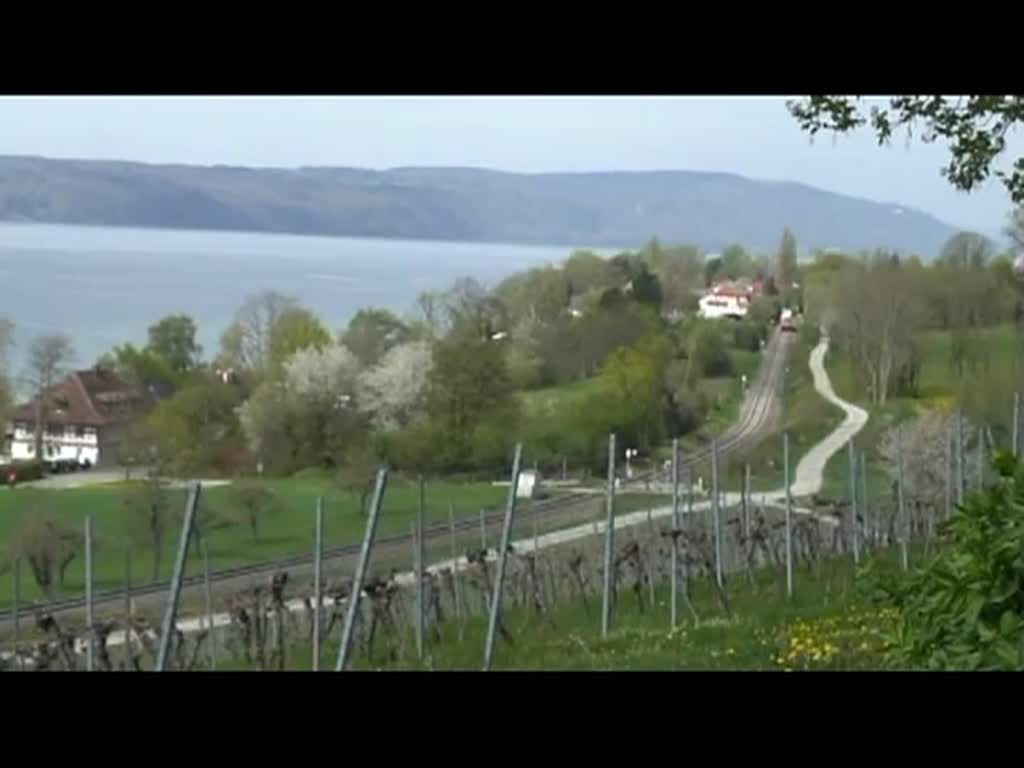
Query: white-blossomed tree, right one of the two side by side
[392, 393]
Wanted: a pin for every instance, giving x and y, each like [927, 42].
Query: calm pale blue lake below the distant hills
[106, 286]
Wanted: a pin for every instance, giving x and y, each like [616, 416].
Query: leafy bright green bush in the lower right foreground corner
[964, 609]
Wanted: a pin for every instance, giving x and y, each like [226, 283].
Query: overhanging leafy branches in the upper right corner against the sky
[975, 127]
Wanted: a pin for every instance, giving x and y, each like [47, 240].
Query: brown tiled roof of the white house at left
[96, 398]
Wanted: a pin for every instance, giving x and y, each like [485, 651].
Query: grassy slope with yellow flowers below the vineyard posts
[826, 626]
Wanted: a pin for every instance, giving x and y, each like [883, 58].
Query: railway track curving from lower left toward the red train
[755, 413]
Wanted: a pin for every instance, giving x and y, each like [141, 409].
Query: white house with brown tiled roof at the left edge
[84, 419]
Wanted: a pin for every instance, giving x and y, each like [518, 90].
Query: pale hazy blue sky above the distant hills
[755, 138]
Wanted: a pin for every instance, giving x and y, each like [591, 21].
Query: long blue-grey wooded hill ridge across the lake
[608, 209]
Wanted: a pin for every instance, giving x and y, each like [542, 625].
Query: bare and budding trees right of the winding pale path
[881, 305]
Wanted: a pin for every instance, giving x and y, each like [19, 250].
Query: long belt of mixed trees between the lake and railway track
[442, 391]
